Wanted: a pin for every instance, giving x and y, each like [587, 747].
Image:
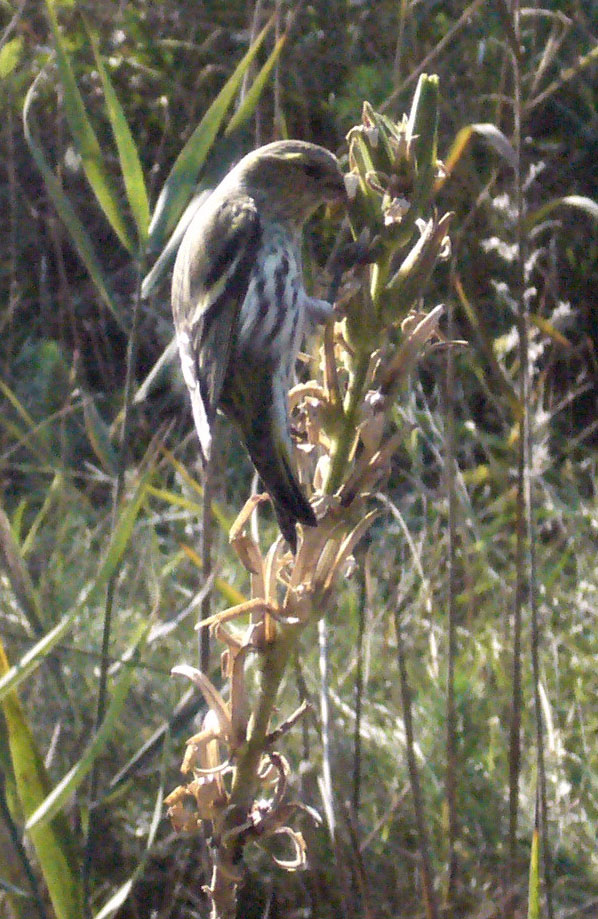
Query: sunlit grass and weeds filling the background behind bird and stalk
[456, 565]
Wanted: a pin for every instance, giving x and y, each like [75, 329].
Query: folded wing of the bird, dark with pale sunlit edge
[210, 281]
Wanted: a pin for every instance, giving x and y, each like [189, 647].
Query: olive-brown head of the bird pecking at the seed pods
[289, 179]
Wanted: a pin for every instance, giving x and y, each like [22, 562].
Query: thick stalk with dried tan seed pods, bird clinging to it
[237, 778]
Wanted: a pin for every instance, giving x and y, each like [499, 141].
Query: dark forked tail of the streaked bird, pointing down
[270, 455]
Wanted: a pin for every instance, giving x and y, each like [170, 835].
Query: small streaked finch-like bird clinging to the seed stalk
[240, 307]
